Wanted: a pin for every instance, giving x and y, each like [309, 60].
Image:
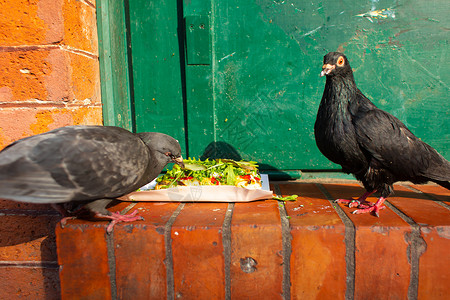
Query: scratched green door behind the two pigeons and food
[240, 79]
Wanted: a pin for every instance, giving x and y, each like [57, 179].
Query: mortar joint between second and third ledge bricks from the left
[169, 257]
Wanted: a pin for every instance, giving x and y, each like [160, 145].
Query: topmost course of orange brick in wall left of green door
[67, 22]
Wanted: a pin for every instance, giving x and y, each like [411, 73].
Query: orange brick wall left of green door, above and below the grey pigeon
[49, 77]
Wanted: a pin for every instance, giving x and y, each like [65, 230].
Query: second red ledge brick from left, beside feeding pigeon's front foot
[140, 253]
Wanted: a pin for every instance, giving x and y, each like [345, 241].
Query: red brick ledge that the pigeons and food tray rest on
[311, 248]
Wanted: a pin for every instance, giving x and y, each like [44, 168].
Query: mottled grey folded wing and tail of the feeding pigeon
[72, 164]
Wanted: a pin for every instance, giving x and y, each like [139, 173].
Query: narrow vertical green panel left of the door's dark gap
[157, 67]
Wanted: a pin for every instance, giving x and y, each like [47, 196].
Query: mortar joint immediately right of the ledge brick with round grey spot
[287, 245]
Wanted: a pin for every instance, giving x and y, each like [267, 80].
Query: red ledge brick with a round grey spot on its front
[256, 251]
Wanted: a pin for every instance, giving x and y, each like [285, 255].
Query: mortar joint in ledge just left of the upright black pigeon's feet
[350, 235]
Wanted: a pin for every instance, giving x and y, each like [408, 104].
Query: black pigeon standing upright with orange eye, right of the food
[373, 145]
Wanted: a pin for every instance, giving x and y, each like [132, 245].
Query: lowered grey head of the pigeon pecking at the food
[164, 146]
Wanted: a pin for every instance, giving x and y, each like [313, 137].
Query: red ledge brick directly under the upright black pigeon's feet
[381, 254]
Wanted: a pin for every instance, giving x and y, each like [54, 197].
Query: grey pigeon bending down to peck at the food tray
[87, 165]
